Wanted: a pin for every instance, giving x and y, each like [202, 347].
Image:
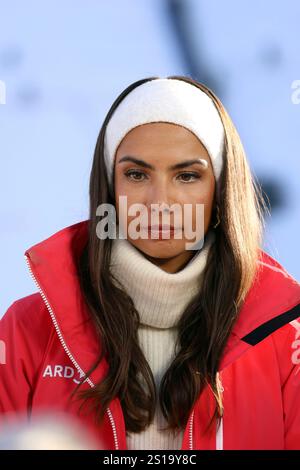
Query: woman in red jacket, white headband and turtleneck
[155, 342]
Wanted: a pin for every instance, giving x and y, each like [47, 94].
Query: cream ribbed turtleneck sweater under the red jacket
[160, 298]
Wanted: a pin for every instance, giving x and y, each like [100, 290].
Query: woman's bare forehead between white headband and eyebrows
[161, 139]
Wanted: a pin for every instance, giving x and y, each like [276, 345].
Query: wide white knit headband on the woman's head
[166, 100]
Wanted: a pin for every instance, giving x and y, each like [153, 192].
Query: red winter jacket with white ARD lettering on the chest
[50, 342]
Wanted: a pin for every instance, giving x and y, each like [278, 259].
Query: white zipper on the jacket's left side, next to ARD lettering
[73, 360]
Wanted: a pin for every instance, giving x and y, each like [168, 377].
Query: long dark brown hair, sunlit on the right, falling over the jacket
[205, 324]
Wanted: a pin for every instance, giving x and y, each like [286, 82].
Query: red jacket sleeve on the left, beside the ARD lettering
[24, 333]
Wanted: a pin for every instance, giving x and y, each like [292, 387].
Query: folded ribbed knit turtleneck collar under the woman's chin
[160, 297]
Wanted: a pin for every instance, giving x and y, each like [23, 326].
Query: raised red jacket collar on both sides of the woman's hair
[53, 265]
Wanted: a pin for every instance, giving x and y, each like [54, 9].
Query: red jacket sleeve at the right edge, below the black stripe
[288, 353]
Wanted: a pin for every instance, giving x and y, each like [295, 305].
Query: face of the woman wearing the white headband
[159, 147]
